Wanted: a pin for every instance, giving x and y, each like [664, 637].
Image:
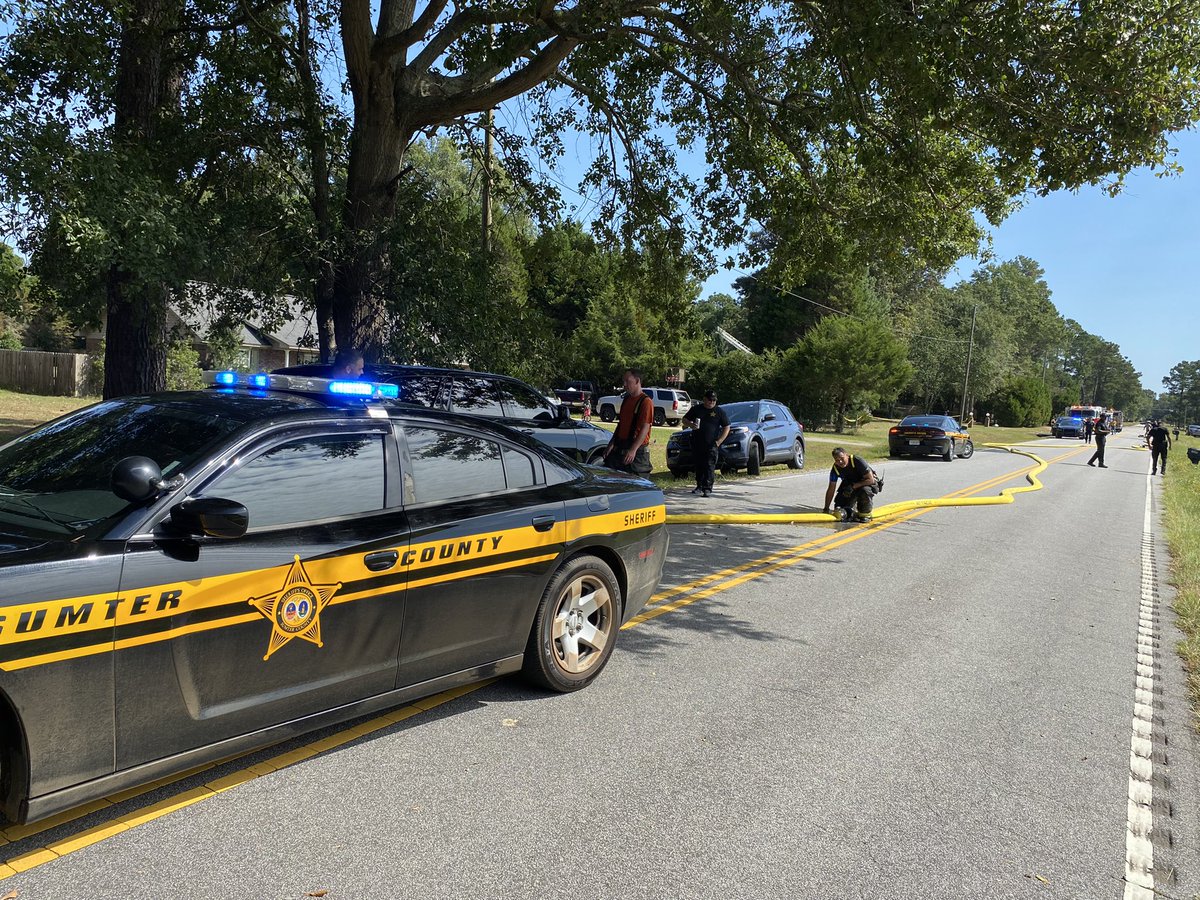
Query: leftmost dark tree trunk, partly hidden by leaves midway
[148, 85]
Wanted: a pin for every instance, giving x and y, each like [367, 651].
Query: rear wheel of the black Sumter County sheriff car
[580, 608]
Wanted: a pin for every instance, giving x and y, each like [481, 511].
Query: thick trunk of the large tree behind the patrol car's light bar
[377, 153]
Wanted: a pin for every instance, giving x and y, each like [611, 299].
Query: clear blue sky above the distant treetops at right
[1126, 268]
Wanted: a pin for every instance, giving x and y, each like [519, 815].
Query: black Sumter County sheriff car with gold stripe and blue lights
[191, 575]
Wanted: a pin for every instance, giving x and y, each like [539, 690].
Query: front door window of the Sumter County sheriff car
[309, 479]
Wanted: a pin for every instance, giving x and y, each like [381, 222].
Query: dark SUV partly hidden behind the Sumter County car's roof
[495, 398]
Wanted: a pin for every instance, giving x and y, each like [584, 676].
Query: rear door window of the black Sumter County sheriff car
[448, 465]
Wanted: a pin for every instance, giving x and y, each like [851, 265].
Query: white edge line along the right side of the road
[1141, 819]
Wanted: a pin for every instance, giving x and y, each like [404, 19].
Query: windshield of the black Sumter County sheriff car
[57, 478]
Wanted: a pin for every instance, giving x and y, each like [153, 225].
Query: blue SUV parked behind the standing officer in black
[761, 433]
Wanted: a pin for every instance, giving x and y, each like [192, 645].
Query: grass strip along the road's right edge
[1181, 518]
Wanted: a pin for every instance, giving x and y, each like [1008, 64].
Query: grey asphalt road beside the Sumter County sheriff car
[938, 707]
